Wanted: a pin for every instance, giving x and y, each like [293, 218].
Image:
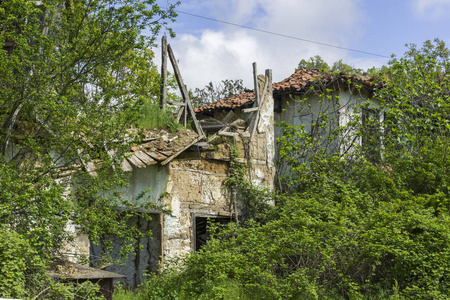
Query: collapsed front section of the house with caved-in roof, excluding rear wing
[186, 172]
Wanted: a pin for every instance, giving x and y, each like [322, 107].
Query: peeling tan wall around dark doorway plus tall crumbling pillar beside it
[197, 185]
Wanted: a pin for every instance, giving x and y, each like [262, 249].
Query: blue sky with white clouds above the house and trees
[211, 51]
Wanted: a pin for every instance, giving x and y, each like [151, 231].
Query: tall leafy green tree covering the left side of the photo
[73, 77]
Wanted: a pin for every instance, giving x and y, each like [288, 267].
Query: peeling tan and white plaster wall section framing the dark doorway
[195, 187]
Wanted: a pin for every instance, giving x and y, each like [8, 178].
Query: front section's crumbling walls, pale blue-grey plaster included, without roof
[193, 187]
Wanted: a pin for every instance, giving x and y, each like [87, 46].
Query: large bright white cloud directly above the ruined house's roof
[229, 53]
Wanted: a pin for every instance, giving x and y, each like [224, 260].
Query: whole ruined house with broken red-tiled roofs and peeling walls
[186, 172]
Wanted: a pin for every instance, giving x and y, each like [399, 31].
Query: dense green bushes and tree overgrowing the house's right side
[364, 209]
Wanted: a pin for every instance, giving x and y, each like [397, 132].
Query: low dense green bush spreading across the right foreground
[338, 240]
